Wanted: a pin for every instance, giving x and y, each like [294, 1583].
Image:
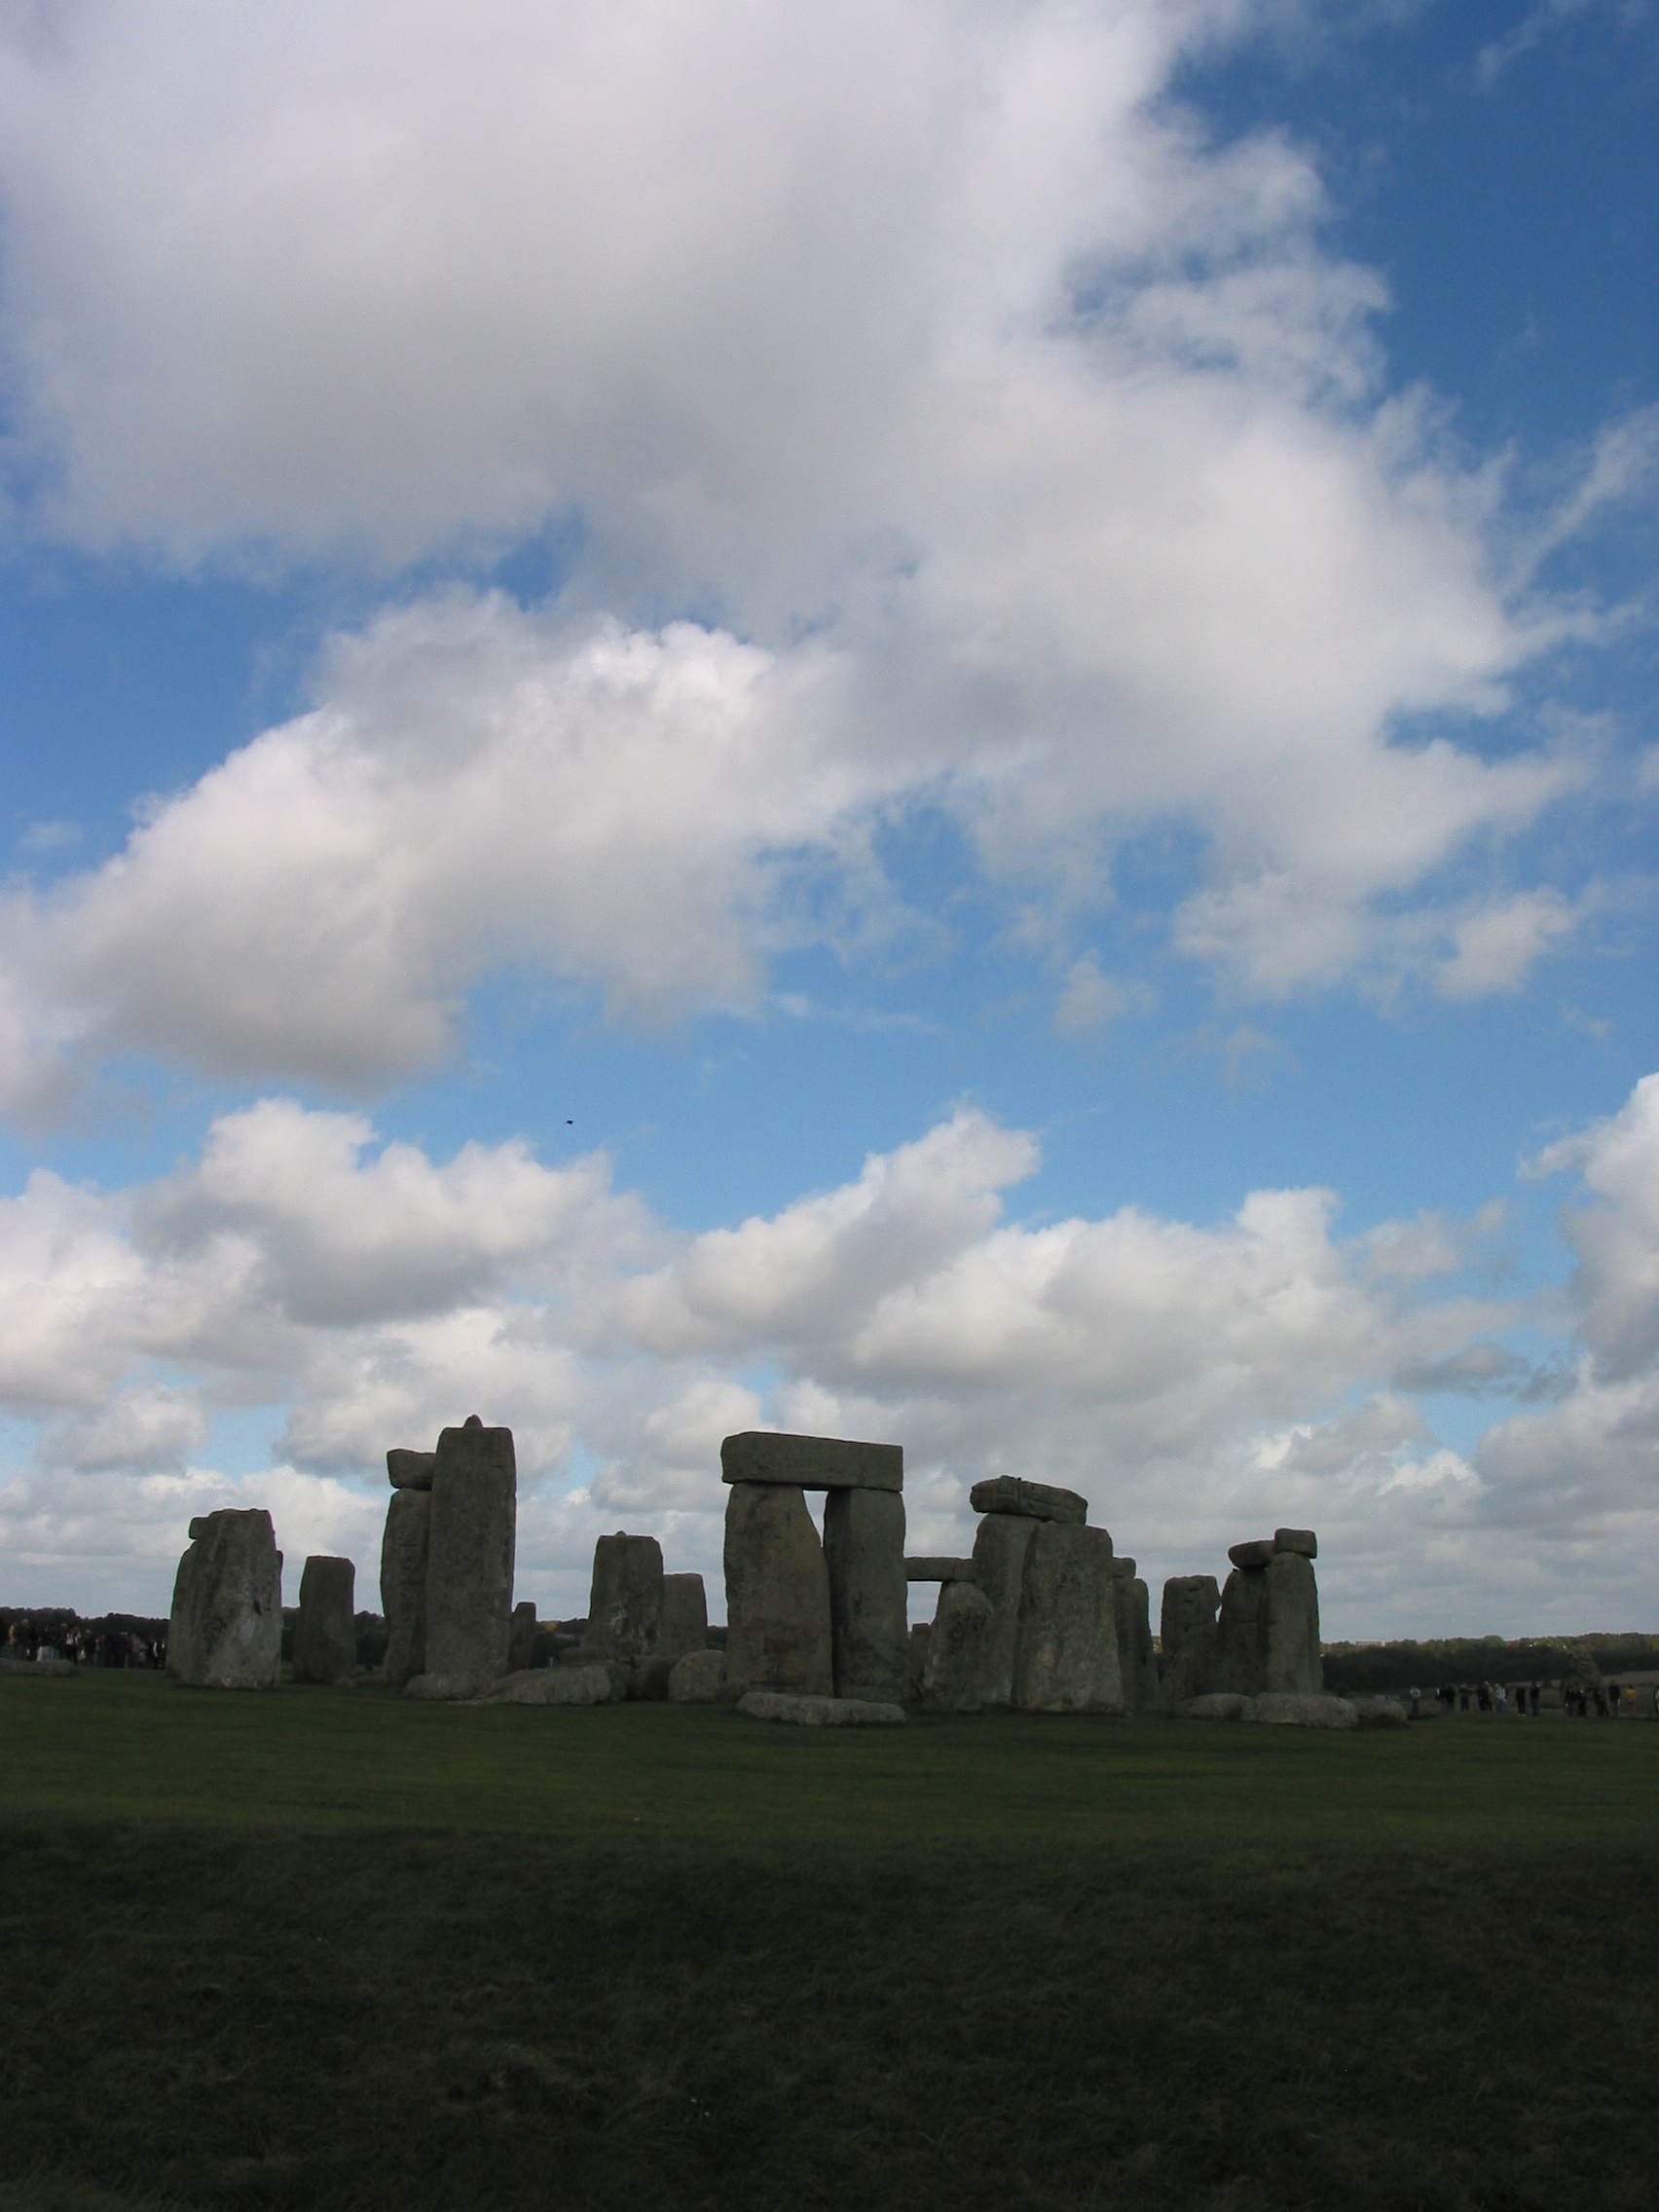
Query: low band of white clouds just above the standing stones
[1198, 1381]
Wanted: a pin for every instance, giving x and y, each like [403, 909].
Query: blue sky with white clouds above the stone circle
[919, 720]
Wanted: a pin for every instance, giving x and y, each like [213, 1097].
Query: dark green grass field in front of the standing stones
[335, 1950]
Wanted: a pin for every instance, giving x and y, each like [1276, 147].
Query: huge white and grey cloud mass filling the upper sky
[1019, 446]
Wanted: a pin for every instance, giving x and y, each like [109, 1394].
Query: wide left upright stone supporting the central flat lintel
[778, 1596]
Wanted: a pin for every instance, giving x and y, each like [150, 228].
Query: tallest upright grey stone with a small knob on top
[470, 1554]
